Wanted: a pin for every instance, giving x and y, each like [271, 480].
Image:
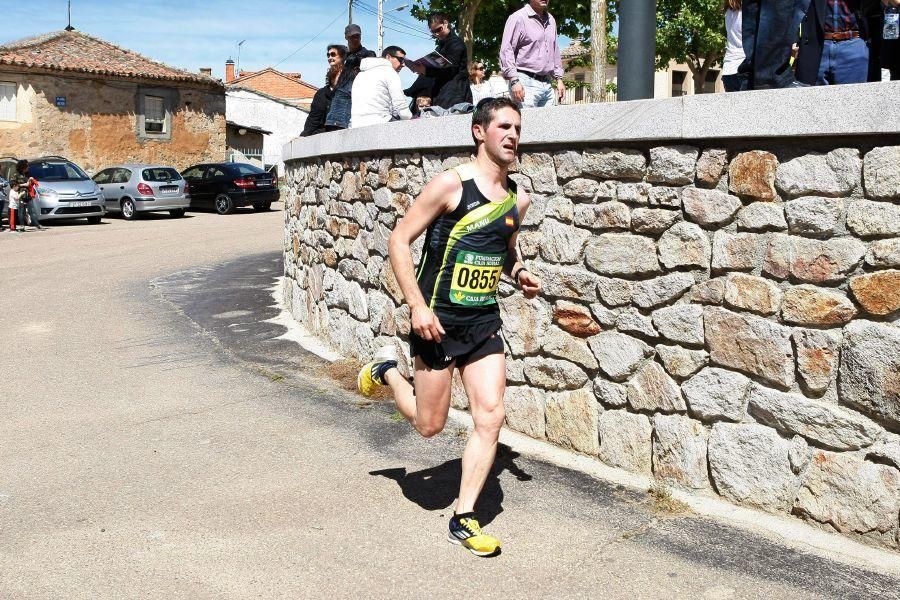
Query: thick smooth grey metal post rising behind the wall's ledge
[637, 49]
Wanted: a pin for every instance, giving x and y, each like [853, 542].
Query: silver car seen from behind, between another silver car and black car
[133, 188]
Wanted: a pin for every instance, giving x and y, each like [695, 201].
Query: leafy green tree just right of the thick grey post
[691, 32]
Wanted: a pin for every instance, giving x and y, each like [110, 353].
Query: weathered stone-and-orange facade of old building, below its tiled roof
[98, 126]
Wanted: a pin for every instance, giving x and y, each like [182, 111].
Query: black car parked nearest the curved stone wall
[226, 186]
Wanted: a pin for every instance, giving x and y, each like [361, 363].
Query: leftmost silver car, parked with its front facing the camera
[64, 190]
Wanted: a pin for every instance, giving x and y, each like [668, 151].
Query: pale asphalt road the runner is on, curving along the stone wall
[158, 441]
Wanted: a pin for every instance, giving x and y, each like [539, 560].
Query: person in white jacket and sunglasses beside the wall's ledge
[377, 92]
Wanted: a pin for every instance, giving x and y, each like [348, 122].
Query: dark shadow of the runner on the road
[436, 488]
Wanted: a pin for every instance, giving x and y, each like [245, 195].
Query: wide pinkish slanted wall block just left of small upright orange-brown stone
[751, 345]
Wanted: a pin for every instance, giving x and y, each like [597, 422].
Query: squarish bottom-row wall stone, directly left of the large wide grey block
[679, 451]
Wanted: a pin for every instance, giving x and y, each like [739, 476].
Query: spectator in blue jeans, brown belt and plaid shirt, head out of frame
[833, 48]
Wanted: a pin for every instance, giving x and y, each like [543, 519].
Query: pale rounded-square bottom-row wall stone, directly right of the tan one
[625, 441]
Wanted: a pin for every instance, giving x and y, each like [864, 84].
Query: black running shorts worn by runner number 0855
[460, 343]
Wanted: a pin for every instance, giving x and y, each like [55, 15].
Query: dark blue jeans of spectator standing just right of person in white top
[769, 30]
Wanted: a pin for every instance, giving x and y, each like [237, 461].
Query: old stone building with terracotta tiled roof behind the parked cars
[70, 94]
